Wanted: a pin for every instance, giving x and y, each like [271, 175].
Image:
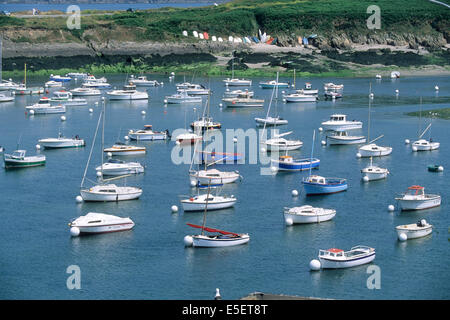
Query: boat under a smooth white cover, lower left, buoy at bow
[94, 223]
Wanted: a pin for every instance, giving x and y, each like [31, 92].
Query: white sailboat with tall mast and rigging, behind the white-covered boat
[102, 191]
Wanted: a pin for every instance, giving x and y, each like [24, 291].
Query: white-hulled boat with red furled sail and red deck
[219, 238]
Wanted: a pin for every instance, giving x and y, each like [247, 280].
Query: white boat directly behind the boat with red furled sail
[207, 202]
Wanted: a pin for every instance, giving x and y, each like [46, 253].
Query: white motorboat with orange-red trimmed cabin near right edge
[415, 198]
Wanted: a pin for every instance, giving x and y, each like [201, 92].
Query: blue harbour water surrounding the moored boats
[151, 262]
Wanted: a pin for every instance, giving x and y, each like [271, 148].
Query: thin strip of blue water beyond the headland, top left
[17, 7]
